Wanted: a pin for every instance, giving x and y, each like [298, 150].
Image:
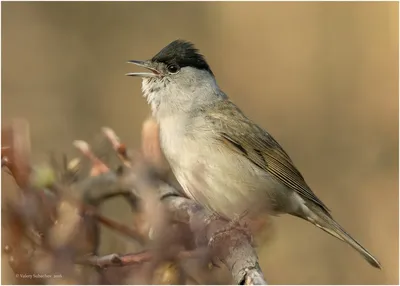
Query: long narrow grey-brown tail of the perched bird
[324, 221]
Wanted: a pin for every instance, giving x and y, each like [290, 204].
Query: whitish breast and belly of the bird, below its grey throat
[209, 172]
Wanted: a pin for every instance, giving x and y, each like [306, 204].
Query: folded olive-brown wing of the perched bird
[251, 141]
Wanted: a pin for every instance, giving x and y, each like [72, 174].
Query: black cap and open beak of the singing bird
[174, 56]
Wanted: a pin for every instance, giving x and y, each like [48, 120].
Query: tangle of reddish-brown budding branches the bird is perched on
[174, 227]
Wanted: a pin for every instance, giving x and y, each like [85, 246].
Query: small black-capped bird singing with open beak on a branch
[221, 158]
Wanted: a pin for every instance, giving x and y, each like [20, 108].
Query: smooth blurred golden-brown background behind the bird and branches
[321, 77]
